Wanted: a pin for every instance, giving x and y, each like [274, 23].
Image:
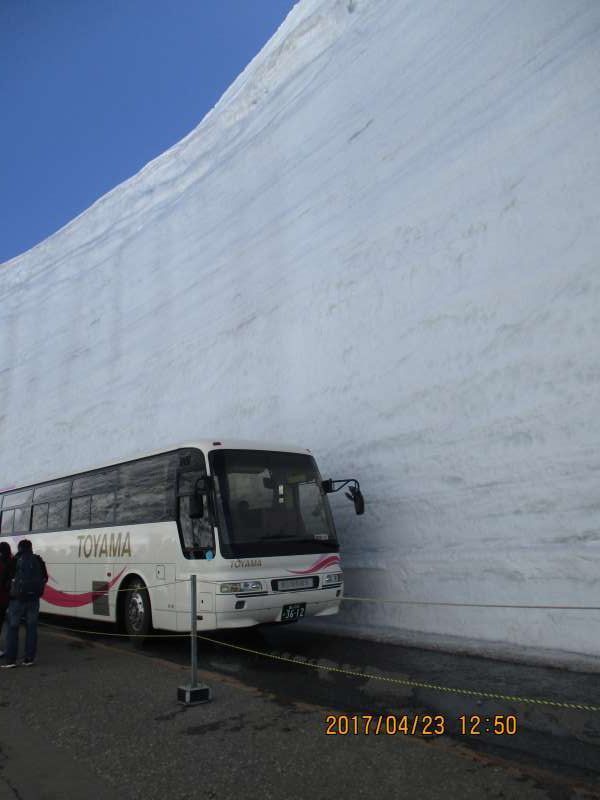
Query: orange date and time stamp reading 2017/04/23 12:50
[419, 725]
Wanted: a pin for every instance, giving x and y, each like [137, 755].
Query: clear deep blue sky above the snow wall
[91, 90]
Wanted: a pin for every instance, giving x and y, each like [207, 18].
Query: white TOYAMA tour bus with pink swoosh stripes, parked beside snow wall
[251, 521]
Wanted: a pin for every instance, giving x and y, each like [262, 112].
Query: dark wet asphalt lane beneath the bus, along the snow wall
[556, 747]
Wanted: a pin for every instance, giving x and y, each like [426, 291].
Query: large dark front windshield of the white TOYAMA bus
[270, 503]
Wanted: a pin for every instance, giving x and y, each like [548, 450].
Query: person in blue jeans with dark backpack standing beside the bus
[28, 577]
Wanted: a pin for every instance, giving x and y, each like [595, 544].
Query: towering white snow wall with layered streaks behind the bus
[383, 244]
